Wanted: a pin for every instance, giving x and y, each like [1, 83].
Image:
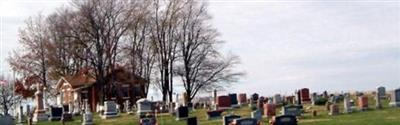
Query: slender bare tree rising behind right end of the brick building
[138, 49]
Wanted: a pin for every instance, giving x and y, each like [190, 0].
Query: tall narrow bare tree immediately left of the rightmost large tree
[164, 36]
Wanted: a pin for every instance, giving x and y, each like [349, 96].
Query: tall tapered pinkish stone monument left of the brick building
[40, 113]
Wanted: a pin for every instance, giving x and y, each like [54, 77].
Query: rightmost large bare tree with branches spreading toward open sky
[201, 65]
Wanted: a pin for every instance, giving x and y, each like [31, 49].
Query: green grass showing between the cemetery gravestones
[385, 116]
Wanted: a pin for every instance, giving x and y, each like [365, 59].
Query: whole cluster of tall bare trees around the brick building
[158, 40]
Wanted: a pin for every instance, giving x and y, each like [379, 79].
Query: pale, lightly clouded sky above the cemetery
[283, 45]
